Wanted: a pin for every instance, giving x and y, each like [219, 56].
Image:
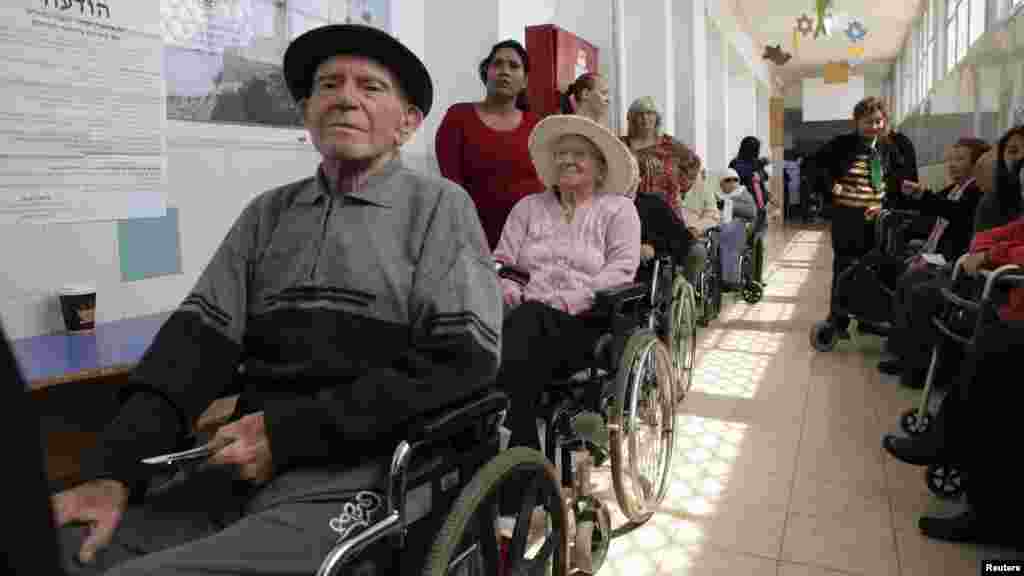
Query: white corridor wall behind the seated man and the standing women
[215, 171]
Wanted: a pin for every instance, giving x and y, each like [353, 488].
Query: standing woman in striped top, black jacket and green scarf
[866, 172]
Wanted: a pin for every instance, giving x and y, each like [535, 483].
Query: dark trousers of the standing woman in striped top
[854, 237]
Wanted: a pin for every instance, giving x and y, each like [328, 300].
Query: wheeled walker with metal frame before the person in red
[961, 320]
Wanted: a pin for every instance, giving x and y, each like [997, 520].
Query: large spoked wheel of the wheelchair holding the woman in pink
[643, 427]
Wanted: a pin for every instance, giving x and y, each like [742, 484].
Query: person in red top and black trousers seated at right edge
[973, 431]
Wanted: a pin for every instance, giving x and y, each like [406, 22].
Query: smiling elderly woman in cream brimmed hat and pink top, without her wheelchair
[580, 236]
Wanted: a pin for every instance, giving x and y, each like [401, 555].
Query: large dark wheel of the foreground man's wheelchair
[471, 524]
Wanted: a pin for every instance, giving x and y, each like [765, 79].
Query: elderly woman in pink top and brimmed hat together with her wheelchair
[571, 256]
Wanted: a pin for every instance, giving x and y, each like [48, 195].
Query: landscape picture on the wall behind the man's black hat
[223, 58]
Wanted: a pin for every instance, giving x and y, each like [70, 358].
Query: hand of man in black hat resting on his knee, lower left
[100, 504]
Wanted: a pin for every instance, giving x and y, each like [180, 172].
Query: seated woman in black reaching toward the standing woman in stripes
[952, 212]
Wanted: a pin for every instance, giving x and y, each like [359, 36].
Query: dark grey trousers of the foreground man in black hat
[208, 523]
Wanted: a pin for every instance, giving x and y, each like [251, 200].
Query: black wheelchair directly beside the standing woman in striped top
[866, 291]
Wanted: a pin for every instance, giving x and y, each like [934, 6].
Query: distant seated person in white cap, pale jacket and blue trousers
[739, 210]
